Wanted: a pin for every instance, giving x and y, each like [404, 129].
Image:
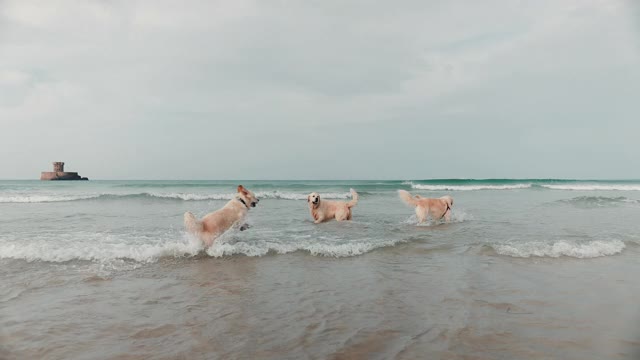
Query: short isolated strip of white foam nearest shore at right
[581, 250]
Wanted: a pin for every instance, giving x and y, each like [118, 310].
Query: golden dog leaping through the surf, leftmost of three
[216, 223]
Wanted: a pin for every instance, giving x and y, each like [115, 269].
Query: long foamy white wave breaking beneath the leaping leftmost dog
[103, 248]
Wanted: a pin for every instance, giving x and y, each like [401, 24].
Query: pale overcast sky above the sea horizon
[320, 89]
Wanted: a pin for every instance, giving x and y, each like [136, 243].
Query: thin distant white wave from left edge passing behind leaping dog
[280, 195]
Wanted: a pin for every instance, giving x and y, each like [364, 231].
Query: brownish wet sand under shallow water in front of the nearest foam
[411, 301]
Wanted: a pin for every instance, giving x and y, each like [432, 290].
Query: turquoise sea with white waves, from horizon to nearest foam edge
[141, 221]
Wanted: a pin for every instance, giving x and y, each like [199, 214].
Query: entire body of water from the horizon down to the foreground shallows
[526, 269]
